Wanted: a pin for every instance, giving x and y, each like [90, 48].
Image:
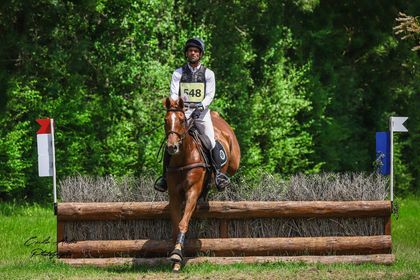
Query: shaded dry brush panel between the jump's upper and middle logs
[209, 228]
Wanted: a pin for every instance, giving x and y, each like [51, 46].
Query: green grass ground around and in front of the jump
[20, 224]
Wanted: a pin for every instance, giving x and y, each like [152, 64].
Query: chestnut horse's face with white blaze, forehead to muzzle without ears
[175, 131]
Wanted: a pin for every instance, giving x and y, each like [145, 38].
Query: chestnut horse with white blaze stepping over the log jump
[187, 171]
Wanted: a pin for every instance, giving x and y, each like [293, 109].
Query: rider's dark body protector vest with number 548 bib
[192, 87]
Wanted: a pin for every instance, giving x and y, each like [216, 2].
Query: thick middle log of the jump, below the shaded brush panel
[230, 246]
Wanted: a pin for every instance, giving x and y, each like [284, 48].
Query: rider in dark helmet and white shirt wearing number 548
[189, 83]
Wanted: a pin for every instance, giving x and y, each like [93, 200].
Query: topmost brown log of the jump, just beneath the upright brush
[224, 209]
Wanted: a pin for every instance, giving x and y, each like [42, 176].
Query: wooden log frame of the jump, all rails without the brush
[352, 249]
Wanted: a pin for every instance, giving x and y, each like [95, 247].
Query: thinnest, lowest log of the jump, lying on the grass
[352, 259]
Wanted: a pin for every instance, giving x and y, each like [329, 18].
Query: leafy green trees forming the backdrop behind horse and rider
[305, 84]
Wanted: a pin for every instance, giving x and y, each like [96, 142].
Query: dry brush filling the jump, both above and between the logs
[327, 186]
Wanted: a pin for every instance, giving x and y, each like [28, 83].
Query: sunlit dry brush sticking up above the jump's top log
[326, 186]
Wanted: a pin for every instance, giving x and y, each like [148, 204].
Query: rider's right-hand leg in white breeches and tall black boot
[205, 125]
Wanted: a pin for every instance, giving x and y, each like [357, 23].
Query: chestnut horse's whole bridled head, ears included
[175, 124]
